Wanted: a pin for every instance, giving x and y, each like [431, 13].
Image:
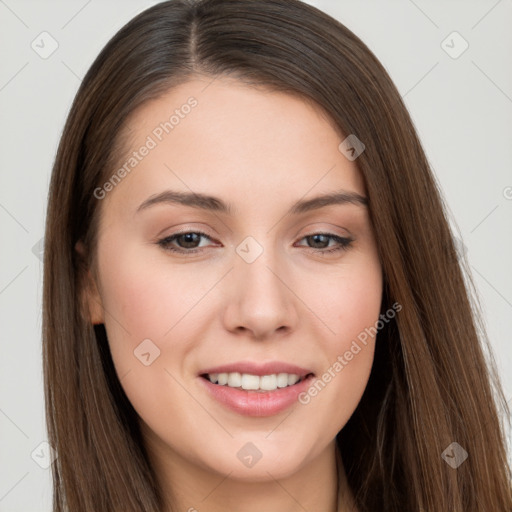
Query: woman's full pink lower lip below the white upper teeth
[257, 403]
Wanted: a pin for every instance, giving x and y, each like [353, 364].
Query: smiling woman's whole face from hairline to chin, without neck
[265, 283]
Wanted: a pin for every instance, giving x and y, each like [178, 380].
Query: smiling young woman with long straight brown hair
[252, 298]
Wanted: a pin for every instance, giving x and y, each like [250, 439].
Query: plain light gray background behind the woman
[462, 108]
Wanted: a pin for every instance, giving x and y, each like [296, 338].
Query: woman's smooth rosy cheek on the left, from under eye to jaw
[145, 310]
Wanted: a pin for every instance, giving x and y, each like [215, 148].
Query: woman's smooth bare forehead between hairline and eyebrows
[228, 139]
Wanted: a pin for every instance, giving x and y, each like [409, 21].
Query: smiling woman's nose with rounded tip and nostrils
[260, 301]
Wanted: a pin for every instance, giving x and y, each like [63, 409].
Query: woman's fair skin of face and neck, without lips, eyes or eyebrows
[261, 151]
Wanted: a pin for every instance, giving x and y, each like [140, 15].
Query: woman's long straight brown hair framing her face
[430, 384]
